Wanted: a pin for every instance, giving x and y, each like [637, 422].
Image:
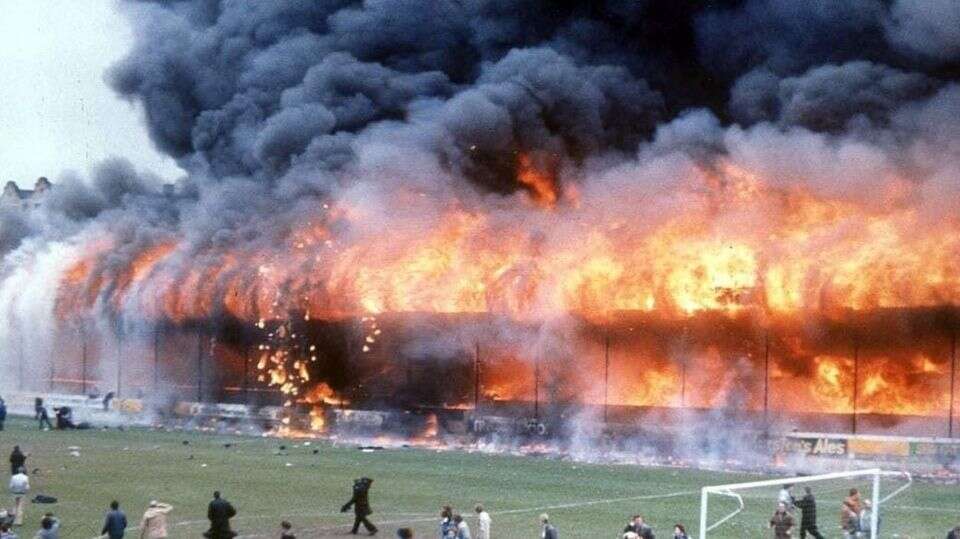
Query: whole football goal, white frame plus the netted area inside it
[742, 509]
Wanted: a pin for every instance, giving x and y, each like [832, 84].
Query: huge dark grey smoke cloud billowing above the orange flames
[276, 108]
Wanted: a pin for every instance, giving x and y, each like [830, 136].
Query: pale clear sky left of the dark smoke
[56, 111]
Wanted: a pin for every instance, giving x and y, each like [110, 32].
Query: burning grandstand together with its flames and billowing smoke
[536, 226]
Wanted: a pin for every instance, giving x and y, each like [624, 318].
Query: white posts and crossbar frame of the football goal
[730, 489]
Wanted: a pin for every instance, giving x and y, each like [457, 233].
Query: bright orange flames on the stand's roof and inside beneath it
[723, 240]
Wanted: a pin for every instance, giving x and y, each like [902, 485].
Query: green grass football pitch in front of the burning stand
[585, 501]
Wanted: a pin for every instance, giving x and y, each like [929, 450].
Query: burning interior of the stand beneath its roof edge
[895, 369]
